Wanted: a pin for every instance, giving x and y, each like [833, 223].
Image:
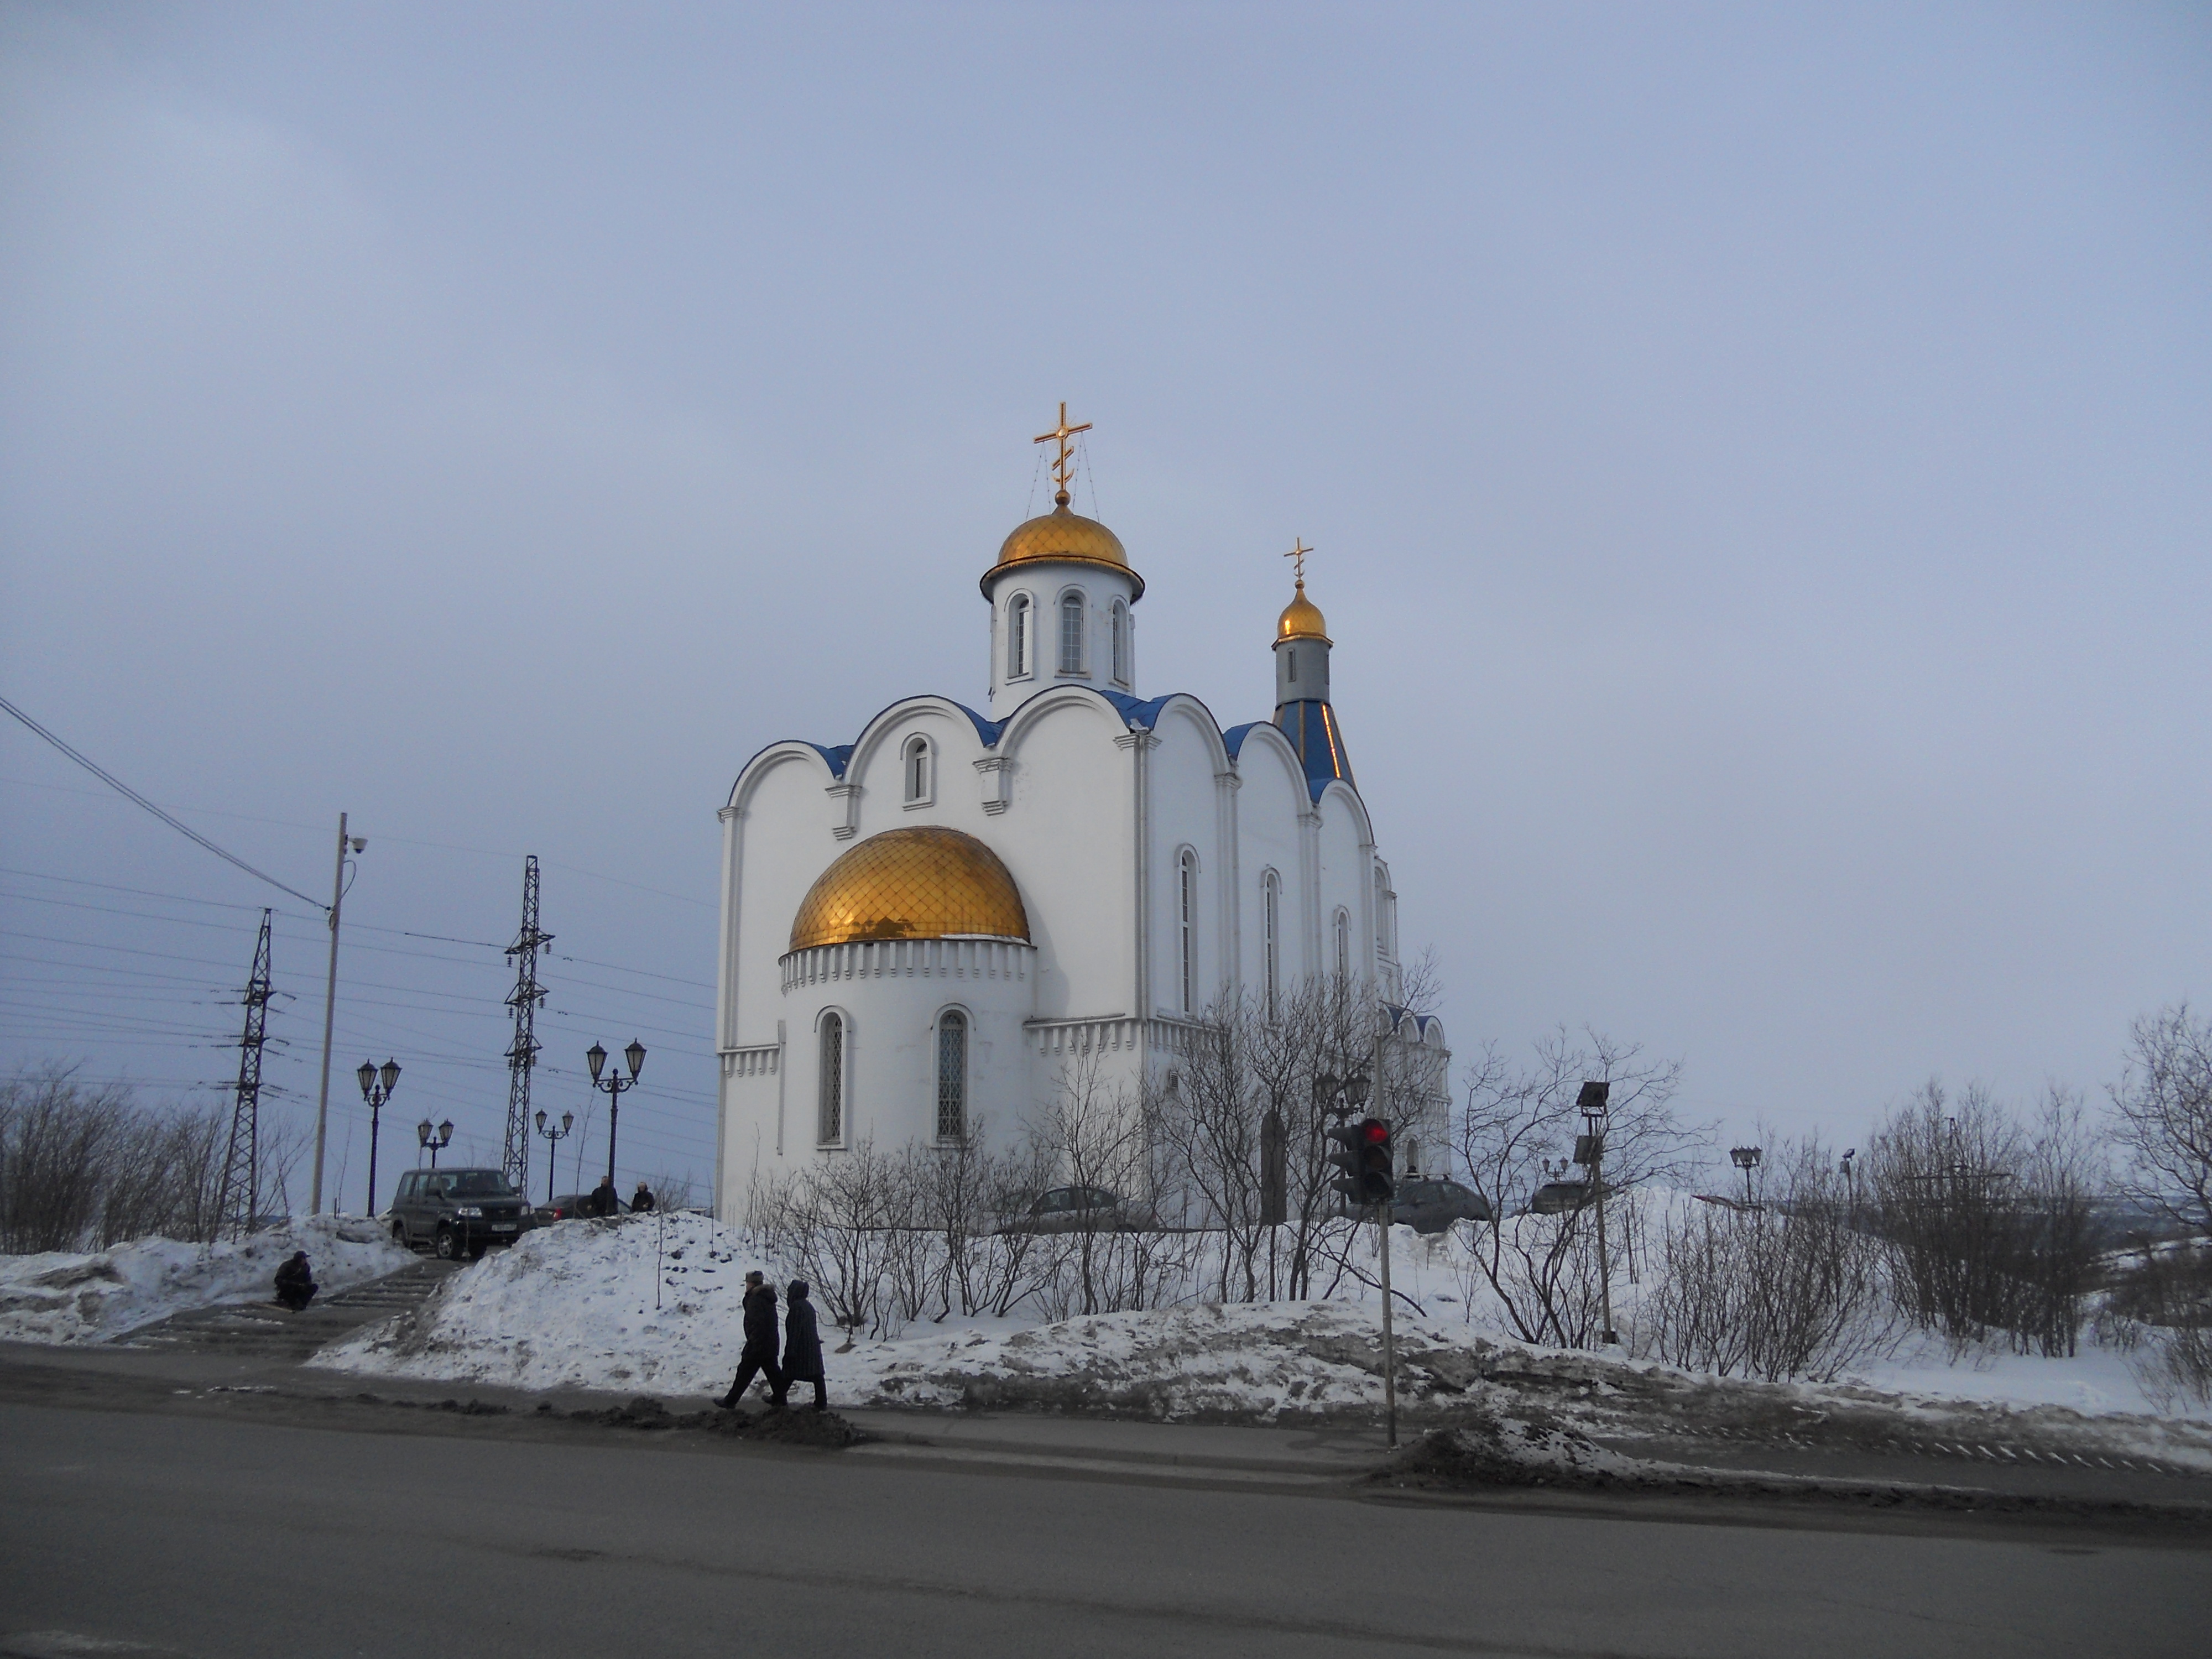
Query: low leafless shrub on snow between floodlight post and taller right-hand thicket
[1788, 1288]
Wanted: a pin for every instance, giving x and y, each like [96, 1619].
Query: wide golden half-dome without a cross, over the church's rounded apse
[912, 884]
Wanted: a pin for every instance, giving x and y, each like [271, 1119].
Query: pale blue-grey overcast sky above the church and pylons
[1760, 466]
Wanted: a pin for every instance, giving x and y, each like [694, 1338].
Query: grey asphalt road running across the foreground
[238, 1538]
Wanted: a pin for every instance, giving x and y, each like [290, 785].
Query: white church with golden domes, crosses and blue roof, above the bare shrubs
[924, 926]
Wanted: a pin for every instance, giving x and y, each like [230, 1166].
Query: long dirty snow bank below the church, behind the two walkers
[656, 1306]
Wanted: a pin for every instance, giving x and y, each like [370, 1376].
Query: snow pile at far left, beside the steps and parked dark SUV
[98, 1297]
